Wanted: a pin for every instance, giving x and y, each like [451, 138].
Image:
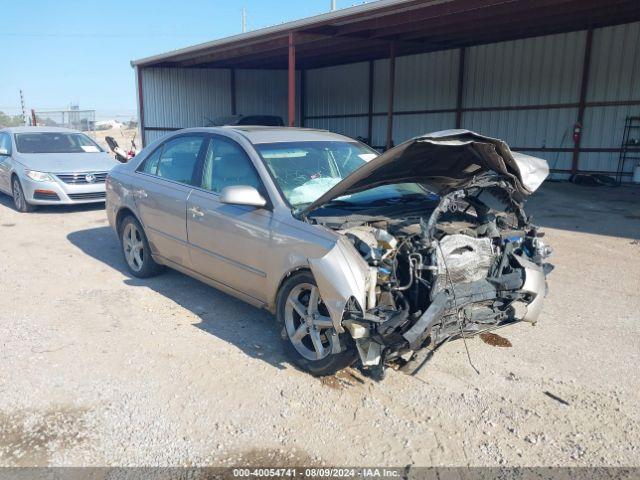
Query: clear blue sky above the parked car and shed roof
[78, 51]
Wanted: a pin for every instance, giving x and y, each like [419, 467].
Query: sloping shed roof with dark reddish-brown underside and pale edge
[364, 32]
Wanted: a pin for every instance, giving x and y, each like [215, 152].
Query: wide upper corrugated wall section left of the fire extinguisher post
[532, 71]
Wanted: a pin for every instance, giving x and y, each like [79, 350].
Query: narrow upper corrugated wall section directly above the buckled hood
[426, 82]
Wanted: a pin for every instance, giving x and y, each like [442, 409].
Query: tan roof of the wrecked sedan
[261, 134]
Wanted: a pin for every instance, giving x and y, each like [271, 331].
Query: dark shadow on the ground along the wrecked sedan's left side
[252, 330]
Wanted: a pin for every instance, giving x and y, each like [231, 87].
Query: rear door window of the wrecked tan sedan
[176, 160]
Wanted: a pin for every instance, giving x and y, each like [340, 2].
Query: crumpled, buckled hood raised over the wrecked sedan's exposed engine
[443, 162]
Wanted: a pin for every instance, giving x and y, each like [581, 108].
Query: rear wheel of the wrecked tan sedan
[136, 250]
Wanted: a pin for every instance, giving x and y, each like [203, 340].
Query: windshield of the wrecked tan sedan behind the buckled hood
[305, 171]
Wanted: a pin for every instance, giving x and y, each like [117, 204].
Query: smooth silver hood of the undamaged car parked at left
[67, 162]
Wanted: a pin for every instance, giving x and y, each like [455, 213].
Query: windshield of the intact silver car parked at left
[55, 142]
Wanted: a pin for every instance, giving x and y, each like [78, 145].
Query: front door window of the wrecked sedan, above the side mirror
[226, 164]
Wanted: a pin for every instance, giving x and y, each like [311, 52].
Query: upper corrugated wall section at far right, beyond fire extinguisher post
[615, 64]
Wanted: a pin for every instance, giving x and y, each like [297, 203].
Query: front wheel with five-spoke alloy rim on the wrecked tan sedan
[307, 328]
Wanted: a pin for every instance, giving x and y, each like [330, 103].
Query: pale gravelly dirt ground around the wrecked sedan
[98, 368]
